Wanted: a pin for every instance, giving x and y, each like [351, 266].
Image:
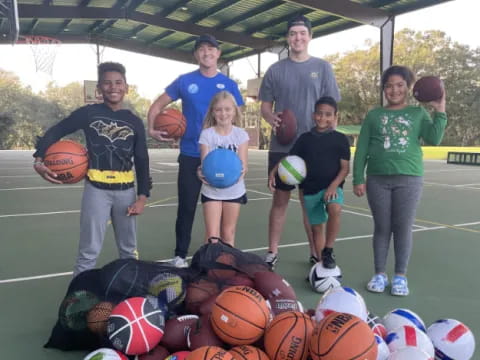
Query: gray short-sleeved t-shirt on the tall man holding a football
[297, 86]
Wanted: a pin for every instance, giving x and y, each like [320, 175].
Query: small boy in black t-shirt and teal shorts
[326, 153]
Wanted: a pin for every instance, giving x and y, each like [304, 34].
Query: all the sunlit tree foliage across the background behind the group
[25, 115]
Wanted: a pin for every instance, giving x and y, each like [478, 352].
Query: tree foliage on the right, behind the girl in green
[426, 53]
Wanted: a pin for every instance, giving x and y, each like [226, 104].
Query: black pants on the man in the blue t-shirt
[188, 191]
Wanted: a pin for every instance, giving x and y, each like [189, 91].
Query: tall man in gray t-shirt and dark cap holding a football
[294, 83]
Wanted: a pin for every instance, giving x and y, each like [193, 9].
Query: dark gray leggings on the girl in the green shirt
[393, 200]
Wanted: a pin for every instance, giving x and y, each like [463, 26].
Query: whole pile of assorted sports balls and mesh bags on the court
[227, 305]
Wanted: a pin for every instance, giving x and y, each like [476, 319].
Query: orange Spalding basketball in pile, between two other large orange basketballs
[288, 333]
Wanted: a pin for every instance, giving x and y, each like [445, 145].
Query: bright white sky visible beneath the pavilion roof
[75, 63]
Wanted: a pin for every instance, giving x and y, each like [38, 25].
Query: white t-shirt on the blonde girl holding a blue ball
[232, 141]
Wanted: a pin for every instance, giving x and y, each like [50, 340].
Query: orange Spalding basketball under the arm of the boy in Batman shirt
[68, 159]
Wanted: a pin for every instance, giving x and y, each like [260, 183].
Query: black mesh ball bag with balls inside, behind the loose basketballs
[179, 291]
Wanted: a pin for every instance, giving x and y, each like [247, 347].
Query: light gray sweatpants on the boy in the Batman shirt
[98, 207]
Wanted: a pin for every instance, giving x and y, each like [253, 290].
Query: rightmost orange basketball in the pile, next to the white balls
[342, 336]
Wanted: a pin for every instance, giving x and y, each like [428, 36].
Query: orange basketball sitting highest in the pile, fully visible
[240, 315]
